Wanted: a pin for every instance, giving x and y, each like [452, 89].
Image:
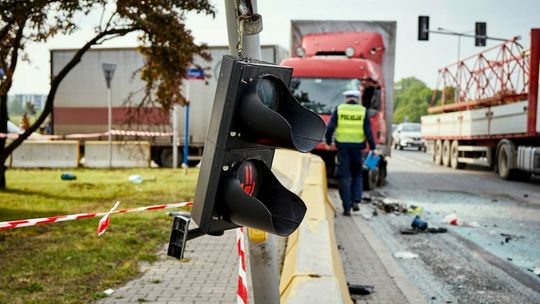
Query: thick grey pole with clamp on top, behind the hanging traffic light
[243, 23]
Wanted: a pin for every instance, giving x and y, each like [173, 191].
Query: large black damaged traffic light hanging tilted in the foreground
[253, 113]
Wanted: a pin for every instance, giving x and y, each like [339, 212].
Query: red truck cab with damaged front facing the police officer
[332, 63]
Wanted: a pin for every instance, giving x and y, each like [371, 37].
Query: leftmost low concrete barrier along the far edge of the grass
[46, 154]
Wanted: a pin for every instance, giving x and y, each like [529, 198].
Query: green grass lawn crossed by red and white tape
[66, 262]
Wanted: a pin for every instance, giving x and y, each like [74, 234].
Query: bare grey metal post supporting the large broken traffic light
[262, 255]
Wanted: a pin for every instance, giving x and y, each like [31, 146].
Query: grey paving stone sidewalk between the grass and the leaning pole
[209, 274]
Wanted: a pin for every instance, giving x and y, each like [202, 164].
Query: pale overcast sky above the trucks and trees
[420, 59]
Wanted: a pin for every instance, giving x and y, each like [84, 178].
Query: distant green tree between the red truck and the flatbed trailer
[412, 99]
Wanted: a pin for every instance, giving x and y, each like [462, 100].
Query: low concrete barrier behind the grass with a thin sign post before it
[125, 154]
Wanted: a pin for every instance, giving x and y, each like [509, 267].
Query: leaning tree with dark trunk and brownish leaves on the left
[166, 43]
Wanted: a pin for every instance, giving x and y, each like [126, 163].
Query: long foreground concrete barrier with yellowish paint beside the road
[312, 269]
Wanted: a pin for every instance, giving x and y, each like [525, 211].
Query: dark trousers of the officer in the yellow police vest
[349, 172]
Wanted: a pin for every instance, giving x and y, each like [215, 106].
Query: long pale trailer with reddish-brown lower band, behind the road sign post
[81, 100]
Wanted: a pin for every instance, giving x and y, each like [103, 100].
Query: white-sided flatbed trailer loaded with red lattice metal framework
[494, 116]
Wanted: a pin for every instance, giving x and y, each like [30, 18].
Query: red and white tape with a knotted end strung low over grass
[103, 223]
